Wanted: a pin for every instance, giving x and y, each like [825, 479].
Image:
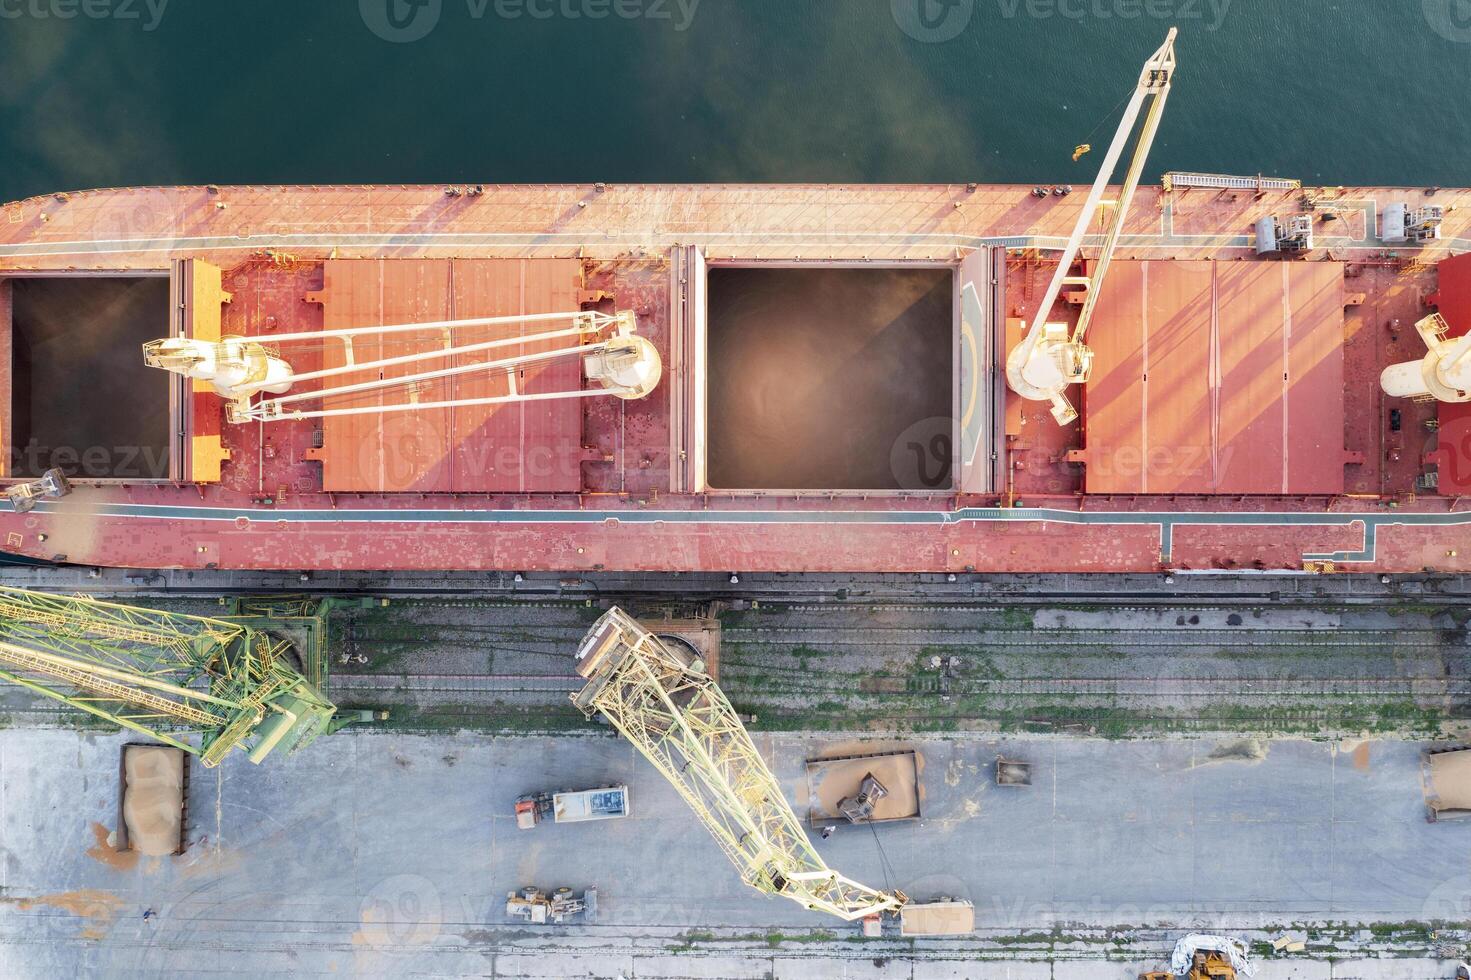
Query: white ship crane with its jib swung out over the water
[1051, 357]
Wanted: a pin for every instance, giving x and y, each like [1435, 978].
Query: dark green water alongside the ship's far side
[1353, 92]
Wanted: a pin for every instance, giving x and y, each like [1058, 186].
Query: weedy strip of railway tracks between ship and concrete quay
[1188, 666]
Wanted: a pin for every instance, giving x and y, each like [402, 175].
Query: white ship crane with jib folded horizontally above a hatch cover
[616, 360]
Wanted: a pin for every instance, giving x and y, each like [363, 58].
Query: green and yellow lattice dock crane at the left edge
[205, 686]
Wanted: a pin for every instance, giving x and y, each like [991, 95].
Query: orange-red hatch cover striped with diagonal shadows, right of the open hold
[1217, 377]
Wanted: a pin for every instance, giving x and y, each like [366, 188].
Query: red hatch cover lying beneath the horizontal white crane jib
[517, 448]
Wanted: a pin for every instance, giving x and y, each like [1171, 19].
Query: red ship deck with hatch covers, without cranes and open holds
[613, 485]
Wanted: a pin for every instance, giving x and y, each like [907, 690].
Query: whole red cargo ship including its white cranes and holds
[738, 377]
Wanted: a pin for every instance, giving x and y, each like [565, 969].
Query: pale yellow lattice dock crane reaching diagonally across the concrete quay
[664, 703]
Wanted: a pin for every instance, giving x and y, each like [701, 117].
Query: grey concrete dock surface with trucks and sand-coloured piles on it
[380, 854]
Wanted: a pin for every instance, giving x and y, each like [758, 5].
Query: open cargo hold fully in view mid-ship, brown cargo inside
[822, 377]
